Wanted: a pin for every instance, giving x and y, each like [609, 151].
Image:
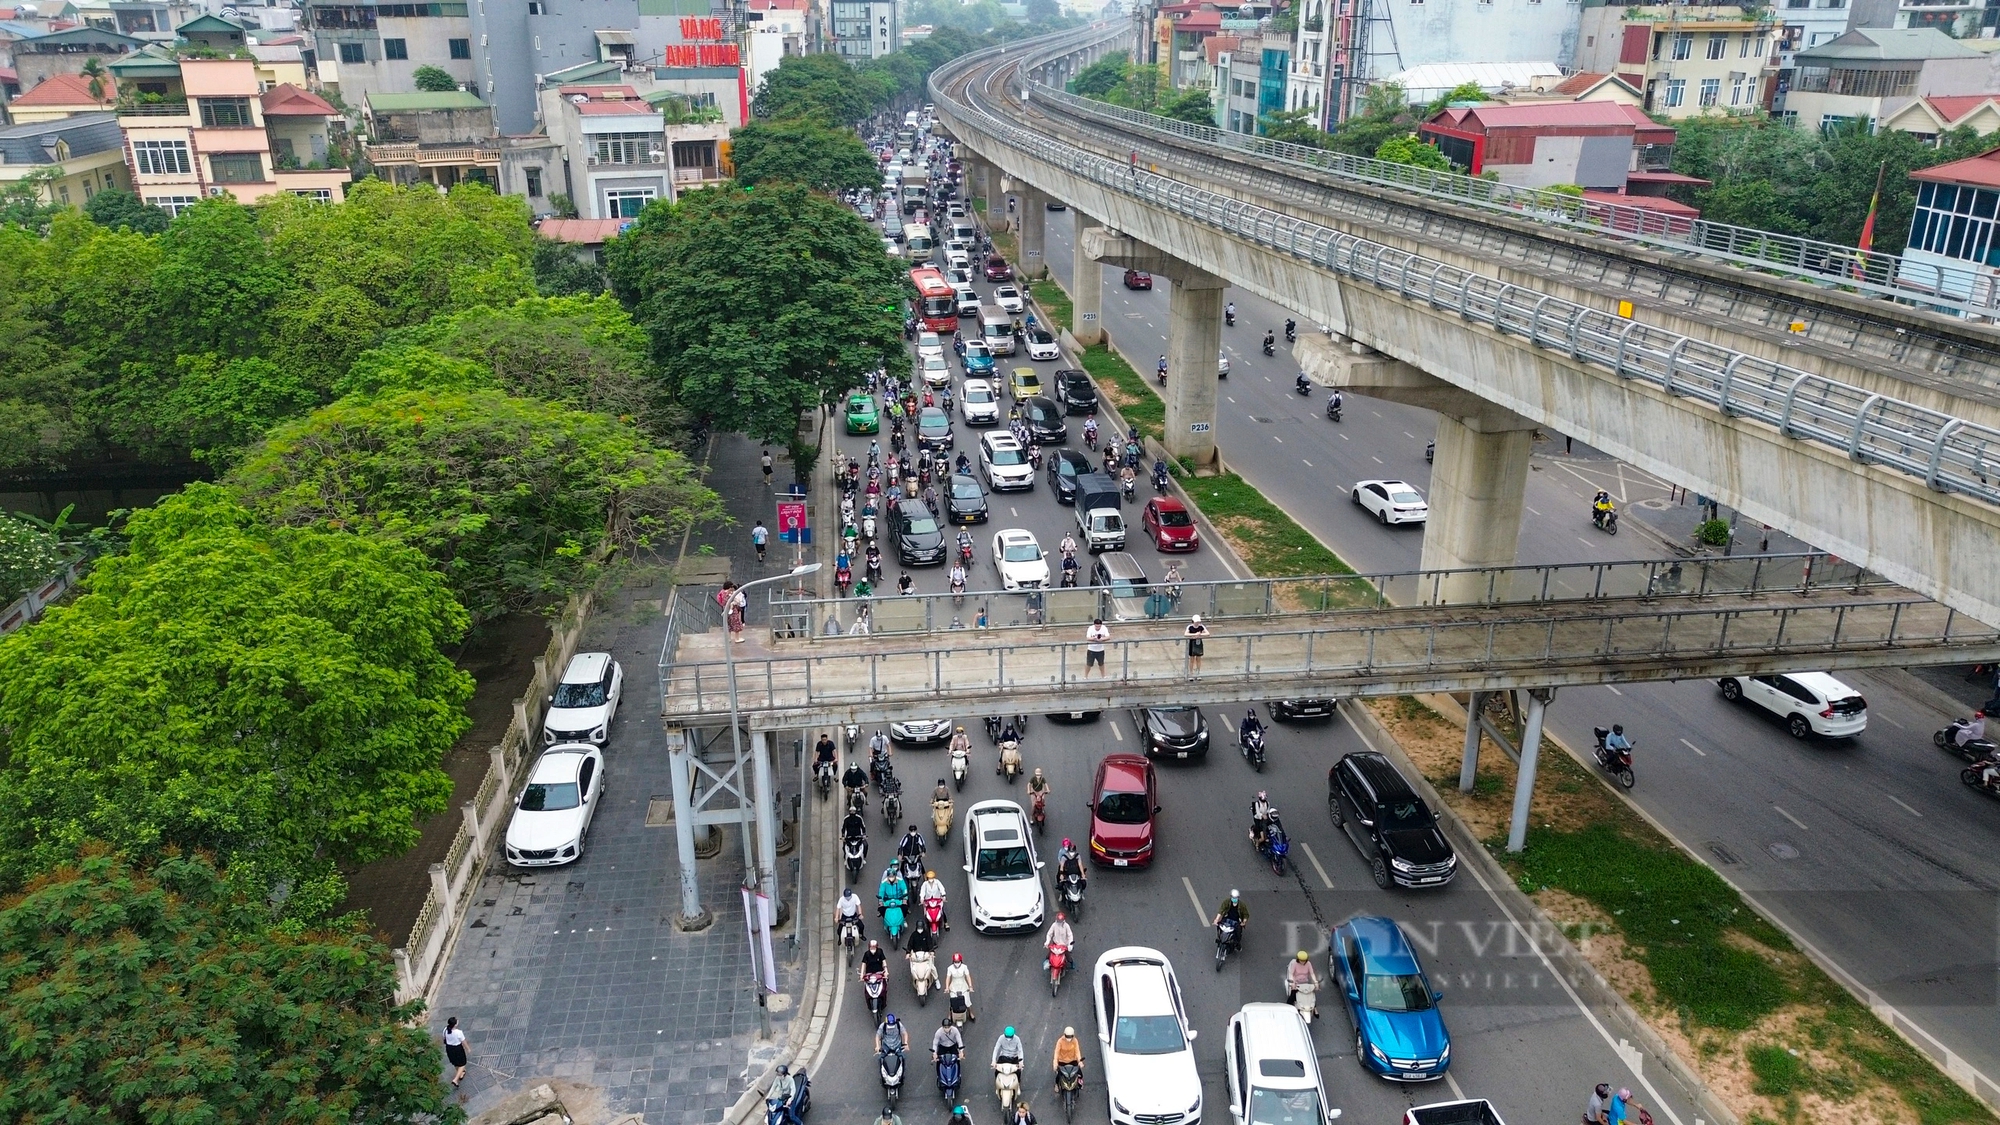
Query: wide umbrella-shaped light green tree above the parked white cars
[517, 501]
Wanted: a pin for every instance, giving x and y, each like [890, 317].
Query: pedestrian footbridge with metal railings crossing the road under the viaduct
[1357, 636]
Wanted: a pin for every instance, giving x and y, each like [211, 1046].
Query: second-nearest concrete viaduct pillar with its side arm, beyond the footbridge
[1193, 339]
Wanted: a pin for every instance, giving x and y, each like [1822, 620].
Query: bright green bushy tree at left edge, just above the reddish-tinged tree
[275, 696]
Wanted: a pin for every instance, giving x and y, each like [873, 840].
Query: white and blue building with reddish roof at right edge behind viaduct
[1953, 245]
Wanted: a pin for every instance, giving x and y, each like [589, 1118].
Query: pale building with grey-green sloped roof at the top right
[1873, 73]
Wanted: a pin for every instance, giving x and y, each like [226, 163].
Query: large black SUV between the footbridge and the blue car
[1395, 832]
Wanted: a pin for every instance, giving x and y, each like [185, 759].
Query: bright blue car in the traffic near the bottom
[1399, 1030]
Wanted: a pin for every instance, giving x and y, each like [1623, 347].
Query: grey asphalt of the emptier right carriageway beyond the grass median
[1871, 850]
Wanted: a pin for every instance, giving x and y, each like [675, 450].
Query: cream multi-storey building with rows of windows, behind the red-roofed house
[1687, 61]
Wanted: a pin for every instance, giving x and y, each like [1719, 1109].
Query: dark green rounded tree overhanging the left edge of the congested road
[761, 305]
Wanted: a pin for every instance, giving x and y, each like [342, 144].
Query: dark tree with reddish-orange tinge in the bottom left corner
[169, 994]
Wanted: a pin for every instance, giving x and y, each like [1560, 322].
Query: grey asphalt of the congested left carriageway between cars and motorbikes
[1517, 1034]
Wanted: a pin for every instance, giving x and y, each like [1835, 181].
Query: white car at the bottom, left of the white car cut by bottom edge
[1145, 1040]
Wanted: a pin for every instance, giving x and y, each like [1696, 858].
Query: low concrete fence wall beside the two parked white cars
[421, 964]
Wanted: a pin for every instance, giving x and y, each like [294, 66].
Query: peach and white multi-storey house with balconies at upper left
[203, 127]
